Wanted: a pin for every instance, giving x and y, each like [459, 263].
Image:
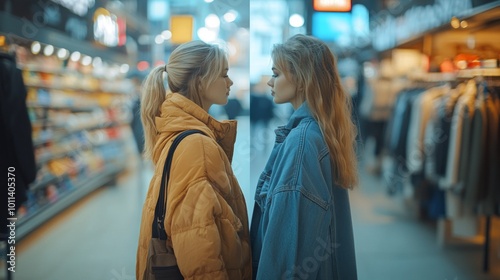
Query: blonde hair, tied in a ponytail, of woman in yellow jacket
[190, 69]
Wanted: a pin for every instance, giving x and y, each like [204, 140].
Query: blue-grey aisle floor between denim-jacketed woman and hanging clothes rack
[393, 244]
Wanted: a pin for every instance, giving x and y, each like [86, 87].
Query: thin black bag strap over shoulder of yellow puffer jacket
[158, 227]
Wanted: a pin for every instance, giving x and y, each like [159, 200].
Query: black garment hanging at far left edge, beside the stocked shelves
[17, 158]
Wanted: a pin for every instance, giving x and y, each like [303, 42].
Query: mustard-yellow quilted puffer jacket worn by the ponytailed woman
[206, 220]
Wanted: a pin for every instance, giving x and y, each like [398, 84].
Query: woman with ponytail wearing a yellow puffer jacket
[206, 218]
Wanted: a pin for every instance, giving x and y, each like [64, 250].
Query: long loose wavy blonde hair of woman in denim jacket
[312, 67]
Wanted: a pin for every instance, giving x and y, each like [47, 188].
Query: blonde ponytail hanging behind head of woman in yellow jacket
[153, 95]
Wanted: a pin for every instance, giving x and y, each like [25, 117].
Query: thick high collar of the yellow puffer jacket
[178, 114]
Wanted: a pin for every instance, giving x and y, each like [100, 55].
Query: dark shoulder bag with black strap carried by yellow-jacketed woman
[161, 263]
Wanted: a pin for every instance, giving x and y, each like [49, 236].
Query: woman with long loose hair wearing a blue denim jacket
[301, 225]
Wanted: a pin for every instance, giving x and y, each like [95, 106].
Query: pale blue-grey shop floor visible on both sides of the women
[96, 239]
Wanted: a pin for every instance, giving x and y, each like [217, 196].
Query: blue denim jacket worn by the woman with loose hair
[301, 225]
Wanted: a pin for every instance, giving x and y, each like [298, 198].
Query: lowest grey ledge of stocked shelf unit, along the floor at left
[82, 188]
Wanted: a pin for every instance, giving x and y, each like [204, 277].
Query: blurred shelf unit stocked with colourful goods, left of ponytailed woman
[69, 108]
